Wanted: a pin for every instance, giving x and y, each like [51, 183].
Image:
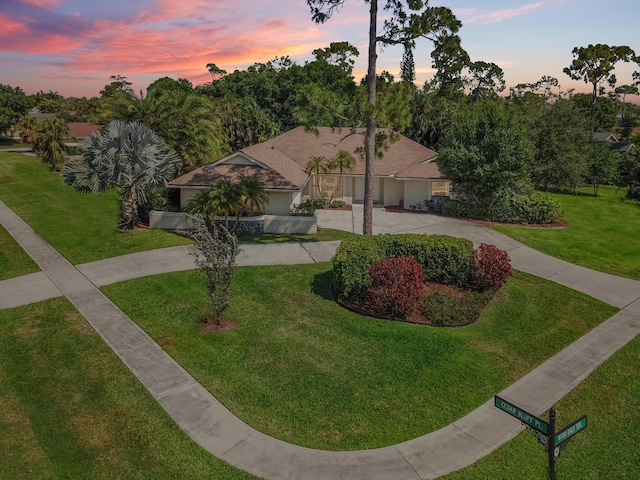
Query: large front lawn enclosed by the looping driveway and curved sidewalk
[301, 368]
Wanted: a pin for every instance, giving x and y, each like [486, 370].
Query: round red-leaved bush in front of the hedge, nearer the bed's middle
[397, 287]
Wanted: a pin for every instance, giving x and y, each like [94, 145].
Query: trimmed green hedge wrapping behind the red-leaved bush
[443, 259]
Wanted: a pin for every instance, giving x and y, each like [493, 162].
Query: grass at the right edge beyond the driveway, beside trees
[603, 233]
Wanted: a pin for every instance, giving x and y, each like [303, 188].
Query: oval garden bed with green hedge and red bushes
[436, 280]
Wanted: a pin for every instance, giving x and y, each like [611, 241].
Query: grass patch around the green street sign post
[606, 449]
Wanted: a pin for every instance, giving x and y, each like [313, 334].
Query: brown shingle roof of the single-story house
[280, 162]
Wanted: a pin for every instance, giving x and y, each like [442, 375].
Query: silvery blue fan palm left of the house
[128, 156]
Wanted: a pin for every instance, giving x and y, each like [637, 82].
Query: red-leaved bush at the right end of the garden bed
[490, 268]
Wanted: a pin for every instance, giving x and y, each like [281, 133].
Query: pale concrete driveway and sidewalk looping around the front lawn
[224, 435]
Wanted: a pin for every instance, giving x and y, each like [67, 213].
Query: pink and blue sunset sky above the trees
[73, 46]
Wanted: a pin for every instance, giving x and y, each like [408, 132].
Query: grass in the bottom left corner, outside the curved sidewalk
[69, 408]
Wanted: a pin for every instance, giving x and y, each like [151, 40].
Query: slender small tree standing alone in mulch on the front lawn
[215, 258]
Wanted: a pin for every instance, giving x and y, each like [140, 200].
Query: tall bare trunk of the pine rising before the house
[370, 136]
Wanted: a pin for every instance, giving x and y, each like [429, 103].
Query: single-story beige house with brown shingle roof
[408, 173]
